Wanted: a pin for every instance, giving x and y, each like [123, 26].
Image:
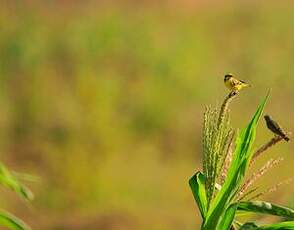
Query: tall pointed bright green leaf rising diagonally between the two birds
[236, 172]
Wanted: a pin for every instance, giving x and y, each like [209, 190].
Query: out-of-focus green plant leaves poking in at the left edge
[11, 181]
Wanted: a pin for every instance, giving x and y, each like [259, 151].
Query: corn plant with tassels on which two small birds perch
[221, 190]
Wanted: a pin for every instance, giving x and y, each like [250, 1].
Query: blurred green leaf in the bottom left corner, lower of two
[11, 222]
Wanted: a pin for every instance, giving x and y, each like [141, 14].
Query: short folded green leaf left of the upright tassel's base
[197, 184]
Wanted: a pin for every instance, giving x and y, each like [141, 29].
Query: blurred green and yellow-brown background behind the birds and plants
[103, 101]
